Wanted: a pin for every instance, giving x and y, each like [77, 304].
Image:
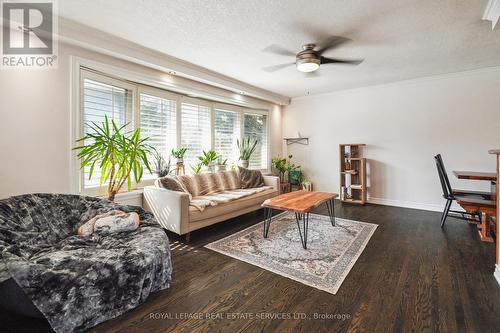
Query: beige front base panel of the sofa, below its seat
[196, 215]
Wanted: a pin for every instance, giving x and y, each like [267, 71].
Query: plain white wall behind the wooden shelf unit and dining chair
[404, 125]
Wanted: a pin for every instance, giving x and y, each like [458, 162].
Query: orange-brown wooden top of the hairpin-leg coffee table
[299, 201]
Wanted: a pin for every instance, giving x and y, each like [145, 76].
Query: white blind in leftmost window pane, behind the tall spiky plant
[100, 100]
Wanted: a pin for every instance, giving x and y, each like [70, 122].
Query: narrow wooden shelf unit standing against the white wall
[352, 174]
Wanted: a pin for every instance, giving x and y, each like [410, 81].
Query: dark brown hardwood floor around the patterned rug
[411, 277]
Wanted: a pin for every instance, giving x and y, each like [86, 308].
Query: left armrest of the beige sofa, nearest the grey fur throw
[171, 208]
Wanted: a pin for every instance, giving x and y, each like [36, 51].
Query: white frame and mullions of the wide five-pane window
[80, 73]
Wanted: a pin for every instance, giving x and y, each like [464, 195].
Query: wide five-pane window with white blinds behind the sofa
[170, 120]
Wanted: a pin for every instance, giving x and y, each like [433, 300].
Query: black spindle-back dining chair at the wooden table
[451, 195]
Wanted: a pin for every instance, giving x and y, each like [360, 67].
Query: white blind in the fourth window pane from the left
[226, 133]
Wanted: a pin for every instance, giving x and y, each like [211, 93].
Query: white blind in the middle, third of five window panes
[195, 131]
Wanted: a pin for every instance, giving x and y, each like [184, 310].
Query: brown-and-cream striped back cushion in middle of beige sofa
[208, 183]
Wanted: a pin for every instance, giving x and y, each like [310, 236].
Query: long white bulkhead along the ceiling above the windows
[77, 34]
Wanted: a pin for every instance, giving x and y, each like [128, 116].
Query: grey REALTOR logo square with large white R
[28, 34]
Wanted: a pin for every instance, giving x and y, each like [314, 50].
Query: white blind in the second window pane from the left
[158, 121]
